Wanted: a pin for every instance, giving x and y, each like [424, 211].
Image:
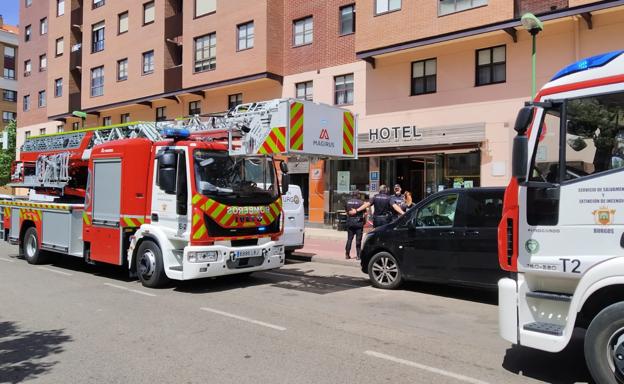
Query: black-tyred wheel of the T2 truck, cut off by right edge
[604, 345]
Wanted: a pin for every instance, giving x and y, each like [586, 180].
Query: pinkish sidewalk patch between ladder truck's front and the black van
[326, 246]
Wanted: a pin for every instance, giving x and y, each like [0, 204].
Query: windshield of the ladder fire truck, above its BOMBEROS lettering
[229, 179]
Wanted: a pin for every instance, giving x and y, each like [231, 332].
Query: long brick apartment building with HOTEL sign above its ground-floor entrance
[436, 84]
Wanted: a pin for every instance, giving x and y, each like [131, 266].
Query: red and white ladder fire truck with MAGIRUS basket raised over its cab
[171, 200]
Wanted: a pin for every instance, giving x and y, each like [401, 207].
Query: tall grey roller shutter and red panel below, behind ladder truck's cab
[106, 243]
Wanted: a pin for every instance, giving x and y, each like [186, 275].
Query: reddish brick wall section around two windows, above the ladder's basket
[328, 48]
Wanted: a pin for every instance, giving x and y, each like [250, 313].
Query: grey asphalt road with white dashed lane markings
[67, 322]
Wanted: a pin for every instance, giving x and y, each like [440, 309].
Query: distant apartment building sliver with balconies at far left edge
[8, 82]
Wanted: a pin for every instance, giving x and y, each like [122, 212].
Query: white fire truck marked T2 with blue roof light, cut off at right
[562, 232]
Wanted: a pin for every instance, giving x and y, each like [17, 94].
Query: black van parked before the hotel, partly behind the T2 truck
[449, 237]
